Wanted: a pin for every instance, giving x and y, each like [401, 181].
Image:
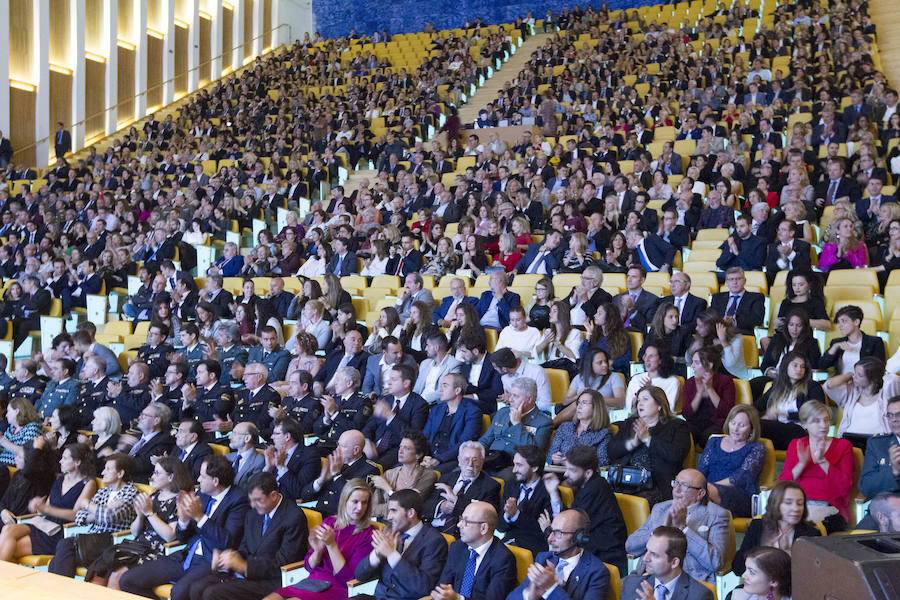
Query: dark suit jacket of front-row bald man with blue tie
[496, 575]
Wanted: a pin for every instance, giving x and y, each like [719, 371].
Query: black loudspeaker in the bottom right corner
[847, 567]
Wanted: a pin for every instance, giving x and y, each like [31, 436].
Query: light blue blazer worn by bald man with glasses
[707, 535]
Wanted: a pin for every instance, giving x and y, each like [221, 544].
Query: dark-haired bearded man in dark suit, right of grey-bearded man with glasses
[525, 499]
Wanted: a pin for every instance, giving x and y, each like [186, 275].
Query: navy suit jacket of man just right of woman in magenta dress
[417, 572]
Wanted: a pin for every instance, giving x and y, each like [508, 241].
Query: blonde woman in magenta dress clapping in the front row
[336, 547]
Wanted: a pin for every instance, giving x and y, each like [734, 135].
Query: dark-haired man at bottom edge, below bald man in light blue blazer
[664, 562]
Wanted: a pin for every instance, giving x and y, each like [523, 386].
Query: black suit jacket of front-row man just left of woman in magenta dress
[284, 541]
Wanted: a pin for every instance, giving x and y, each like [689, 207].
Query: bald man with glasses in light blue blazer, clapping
[705, 525]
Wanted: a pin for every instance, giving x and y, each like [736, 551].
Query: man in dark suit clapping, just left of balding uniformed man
[294, 464]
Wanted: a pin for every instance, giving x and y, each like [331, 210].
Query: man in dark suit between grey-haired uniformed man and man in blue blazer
[400, 409]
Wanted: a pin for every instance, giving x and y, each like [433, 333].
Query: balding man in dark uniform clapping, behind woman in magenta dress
[345, 463]
